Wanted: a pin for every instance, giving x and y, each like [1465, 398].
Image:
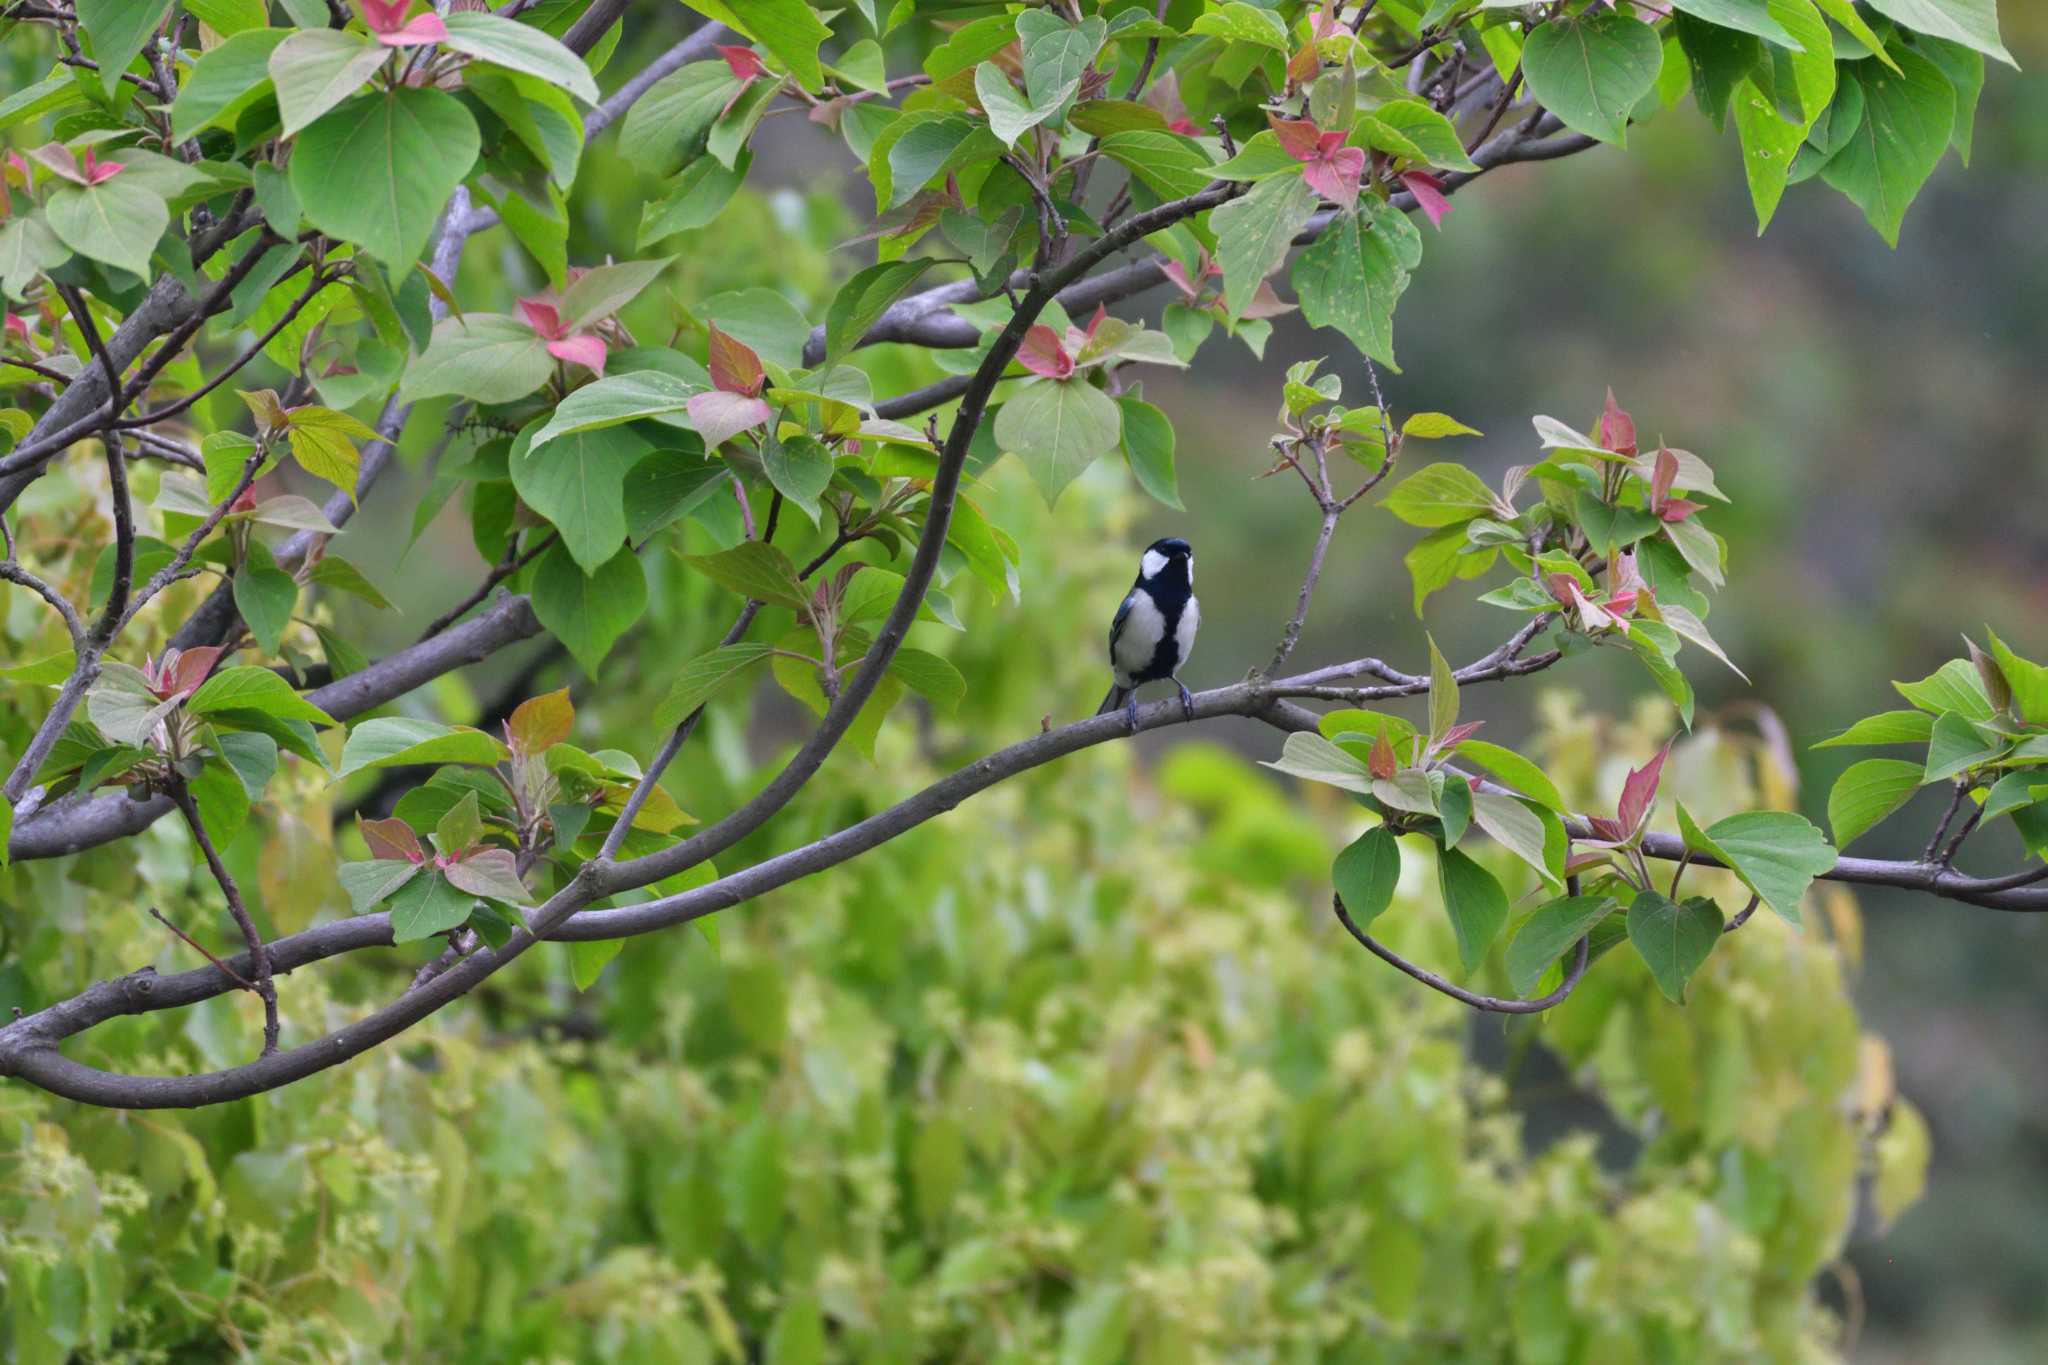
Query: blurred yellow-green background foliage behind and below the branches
[1076, 1075]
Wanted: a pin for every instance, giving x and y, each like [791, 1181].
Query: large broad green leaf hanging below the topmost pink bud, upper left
[380, 169]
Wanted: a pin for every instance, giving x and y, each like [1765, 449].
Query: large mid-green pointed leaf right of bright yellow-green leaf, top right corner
[1906, 130]
